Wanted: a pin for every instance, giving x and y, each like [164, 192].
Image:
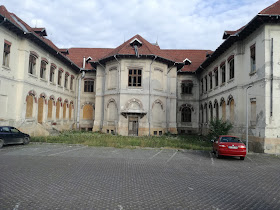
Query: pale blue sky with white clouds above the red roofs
[176, 24]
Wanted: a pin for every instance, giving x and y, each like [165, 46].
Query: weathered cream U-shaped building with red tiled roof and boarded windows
[140, 89]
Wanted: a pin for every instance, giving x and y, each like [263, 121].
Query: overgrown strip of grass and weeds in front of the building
[193, 142]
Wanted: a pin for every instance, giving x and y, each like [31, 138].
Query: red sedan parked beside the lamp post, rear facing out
[229, 146]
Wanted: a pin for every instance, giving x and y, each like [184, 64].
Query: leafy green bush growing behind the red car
[218, 127]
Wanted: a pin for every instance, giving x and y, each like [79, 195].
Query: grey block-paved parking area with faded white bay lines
[50, 176]
